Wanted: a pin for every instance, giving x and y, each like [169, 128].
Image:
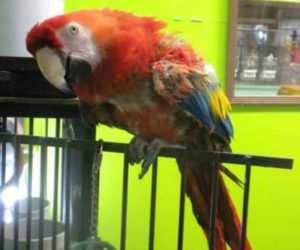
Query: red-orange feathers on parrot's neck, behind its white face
[128, 44]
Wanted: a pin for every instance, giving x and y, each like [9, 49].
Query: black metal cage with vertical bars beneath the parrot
[23, 95]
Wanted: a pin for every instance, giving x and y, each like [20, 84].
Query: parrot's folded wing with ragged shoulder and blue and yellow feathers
[196, 91]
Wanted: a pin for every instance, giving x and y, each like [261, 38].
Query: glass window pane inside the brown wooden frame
[268, 49]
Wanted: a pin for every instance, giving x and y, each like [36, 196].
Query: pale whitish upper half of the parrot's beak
[52, 68]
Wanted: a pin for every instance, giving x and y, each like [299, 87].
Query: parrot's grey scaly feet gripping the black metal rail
[139, 150]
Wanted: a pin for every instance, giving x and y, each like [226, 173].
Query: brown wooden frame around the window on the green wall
[231, 54]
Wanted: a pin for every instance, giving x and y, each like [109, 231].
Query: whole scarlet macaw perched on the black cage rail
[128, 73]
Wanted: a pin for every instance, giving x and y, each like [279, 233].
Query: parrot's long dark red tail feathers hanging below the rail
[198, 188]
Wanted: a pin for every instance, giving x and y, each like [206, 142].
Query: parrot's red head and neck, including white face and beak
[71, 49]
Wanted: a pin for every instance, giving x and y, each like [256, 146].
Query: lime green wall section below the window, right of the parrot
[274, 205]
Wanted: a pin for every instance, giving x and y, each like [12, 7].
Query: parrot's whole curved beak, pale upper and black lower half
[62, 70]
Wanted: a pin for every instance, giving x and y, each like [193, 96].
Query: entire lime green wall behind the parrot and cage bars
[268, 130]
